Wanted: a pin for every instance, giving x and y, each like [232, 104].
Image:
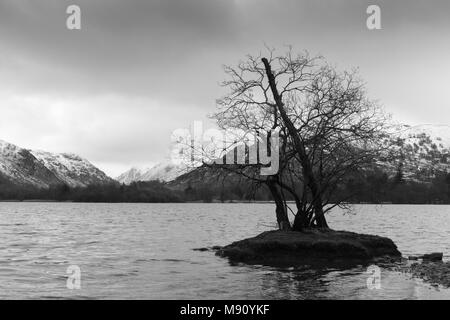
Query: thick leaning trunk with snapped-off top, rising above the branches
[299, 147]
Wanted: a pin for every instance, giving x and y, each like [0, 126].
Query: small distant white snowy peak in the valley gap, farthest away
[162, 171]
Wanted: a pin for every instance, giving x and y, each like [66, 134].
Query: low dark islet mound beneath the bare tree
[326, 247]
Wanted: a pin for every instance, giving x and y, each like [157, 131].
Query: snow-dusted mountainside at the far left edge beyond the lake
[43, 169]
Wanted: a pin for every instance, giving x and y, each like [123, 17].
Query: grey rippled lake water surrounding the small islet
[144, 251]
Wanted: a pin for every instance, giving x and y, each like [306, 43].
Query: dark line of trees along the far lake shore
[375, 187]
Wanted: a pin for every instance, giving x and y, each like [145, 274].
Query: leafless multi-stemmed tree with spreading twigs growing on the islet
[328, 129]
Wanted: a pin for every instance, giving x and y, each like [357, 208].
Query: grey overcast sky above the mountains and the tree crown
[114, 91]
